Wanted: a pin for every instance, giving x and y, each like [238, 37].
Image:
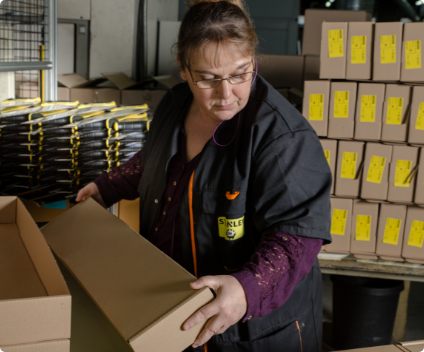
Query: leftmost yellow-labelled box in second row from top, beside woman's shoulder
[315, 105]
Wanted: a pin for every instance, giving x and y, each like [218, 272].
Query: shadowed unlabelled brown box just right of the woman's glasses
[283, 71]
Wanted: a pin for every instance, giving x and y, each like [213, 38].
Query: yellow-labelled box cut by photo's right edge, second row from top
[416, 123]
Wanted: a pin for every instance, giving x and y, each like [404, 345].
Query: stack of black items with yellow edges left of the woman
[49, 150]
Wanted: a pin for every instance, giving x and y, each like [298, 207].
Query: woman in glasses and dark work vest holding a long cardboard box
[234, 186]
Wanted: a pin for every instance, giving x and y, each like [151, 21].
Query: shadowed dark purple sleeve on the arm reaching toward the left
[122, 182]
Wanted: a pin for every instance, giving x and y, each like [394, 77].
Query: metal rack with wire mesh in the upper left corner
[28, 45]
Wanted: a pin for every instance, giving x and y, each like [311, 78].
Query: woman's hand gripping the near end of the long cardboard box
[229, 306]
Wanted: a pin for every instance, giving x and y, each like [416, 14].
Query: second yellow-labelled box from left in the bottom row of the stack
[364, 228]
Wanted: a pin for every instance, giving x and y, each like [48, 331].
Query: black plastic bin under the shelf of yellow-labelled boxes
[364, 311]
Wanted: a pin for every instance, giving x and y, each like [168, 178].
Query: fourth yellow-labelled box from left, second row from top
[396, 113]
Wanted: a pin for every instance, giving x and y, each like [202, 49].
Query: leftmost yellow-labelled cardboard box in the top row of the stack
[333, 50]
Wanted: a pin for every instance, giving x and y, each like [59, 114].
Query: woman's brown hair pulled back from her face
[219, 22]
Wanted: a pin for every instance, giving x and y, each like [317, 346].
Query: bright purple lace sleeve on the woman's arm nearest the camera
[279, 263]
